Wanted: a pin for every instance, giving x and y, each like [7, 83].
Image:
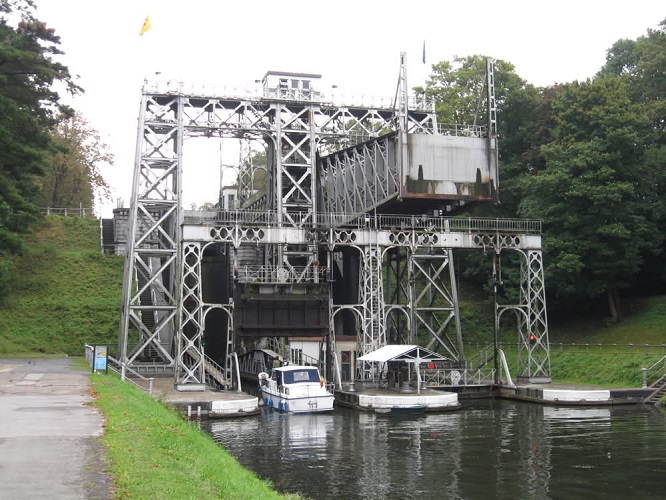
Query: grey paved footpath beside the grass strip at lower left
[50, 440]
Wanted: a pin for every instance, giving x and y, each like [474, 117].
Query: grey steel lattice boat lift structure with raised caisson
[317, 233]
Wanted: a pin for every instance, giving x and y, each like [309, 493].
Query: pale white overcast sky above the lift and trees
[354, 44]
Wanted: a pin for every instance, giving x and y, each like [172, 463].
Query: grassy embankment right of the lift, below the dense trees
[583, 350]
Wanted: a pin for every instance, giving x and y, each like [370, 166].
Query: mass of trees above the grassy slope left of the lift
[48, 154]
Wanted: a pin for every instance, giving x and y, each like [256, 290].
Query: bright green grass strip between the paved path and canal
[156, 454]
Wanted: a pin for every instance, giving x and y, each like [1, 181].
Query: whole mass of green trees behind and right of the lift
[586, 157]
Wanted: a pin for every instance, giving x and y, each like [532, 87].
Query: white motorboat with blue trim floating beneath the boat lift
[295, 389]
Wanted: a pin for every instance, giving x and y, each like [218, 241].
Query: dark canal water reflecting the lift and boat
[487, 449]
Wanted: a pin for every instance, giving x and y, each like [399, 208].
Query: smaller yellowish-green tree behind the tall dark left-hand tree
[73, 171]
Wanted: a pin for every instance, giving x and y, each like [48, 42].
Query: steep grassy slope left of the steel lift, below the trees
[65, 293]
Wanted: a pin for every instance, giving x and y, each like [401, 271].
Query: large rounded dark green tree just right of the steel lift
[594, 192]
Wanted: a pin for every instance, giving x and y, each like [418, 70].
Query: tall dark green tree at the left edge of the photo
[29, 107]
